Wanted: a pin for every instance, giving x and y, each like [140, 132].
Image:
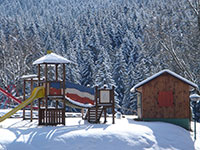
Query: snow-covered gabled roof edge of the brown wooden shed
[158, 74]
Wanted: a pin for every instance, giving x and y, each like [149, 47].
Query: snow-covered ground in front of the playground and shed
[125, 134]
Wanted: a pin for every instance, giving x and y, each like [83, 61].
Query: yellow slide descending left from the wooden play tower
[38, 92]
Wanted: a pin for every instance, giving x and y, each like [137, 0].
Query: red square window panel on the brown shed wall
[165, 98]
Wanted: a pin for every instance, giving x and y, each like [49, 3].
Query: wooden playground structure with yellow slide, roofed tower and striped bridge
[52, 88]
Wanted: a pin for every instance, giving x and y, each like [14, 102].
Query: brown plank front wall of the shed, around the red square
[165, 82]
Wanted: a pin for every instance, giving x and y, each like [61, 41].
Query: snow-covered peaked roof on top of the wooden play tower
[52, 58]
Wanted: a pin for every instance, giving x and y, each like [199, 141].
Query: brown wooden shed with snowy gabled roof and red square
[165, 97]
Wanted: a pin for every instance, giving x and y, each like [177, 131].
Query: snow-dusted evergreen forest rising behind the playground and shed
[113, 42]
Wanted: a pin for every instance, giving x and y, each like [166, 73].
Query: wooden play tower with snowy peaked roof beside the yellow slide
[51, 108]
